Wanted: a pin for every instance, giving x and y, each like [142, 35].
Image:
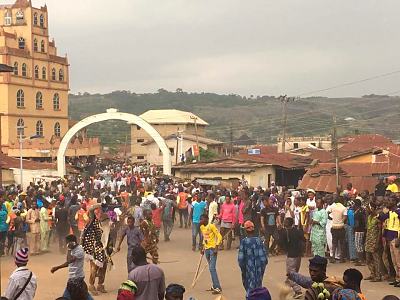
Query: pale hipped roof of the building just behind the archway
[171, 116]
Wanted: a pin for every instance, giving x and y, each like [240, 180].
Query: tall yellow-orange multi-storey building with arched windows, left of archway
[34, 98]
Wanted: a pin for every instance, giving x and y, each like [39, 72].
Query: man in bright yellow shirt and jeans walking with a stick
[212, 238]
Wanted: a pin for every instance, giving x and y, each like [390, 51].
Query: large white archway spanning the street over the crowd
[112, 114]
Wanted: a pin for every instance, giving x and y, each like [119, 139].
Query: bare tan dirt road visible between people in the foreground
[51, 286]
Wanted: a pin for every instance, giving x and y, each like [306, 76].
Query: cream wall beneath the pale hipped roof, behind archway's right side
[139, 136]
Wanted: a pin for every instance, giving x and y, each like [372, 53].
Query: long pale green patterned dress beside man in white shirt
[318, 232]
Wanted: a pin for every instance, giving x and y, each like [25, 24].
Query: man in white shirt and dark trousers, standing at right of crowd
[338, 213]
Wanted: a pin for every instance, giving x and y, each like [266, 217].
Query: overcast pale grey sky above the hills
[260, 47]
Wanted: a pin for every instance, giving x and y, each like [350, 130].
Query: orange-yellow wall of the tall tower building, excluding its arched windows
[48, 86]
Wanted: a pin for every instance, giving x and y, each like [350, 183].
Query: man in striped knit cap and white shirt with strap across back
[22, 283]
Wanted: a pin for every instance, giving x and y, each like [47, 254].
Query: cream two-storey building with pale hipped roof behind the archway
[167, 122]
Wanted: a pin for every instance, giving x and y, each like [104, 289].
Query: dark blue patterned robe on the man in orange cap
[252, 261]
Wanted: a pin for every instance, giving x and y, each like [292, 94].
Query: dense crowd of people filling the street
[90, 217]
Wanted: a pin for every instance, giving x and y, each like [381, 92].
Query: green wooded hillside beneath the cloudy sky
[258, 117]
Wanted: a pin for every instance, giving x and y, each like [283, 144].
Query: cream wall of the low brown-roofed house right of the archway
[257, 178]
